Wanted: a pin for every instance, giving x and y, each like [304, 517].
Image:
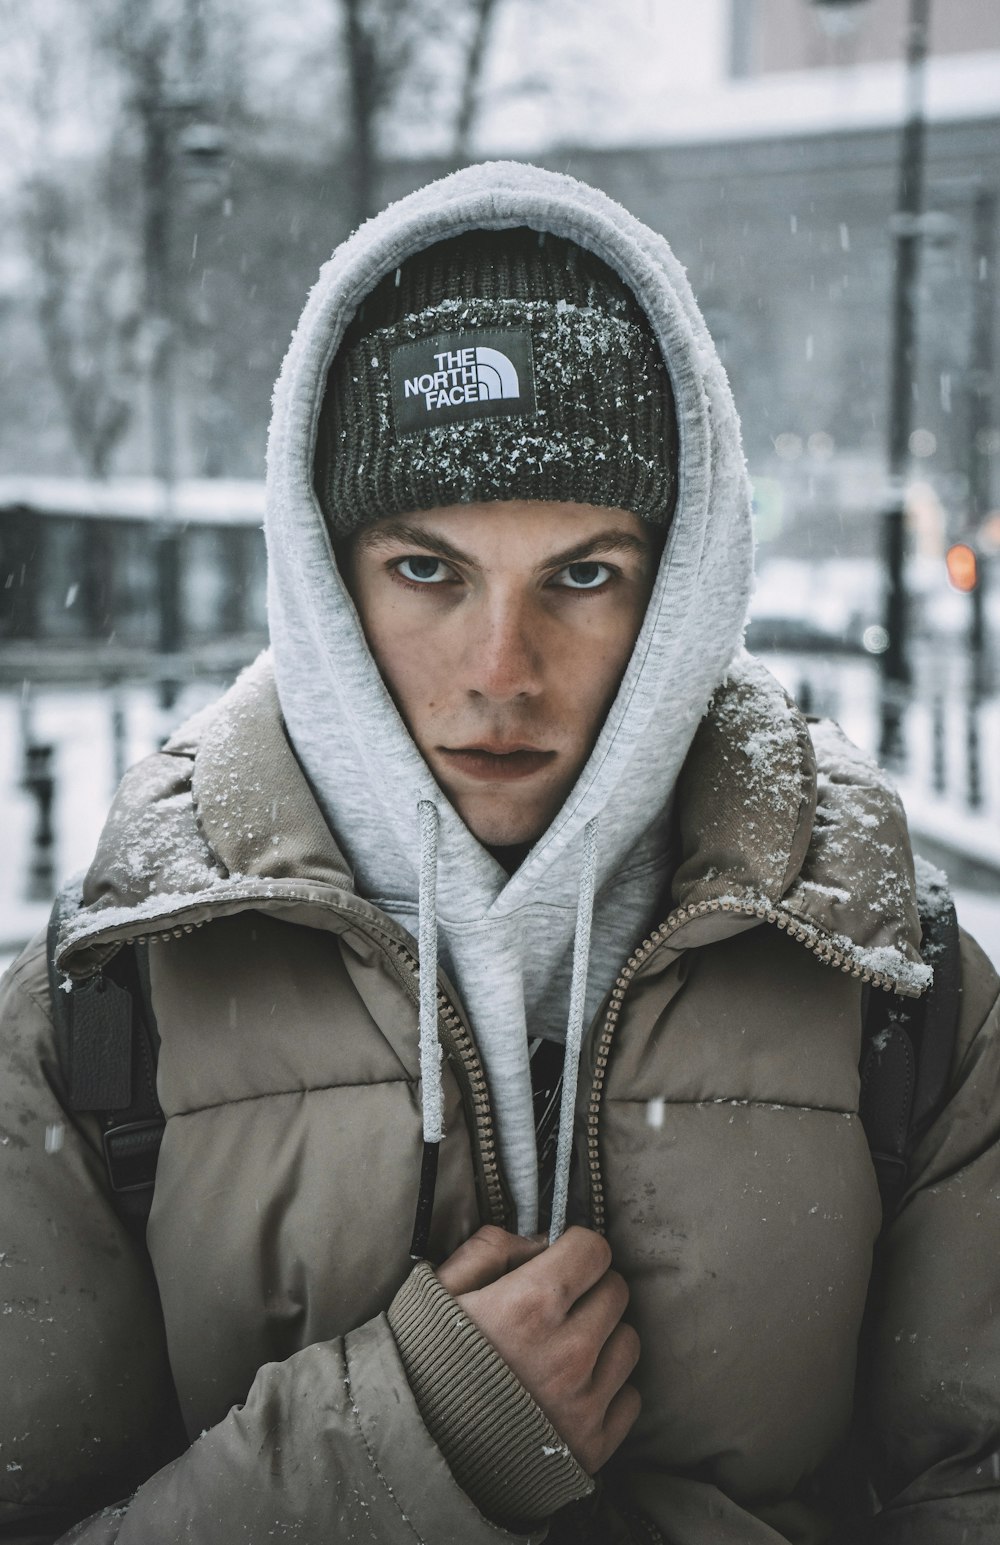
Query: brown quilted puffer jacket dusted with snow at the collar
[247, 1385]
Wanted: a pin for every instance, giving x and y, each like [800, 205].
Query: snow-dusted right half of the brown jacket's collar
[784, 821]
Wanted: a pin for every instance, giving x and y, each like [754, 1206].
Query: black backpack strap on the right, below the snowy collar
[908, 1045]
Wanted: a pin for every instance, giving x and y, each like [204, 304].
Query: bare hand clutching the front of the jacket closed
[554, 1314]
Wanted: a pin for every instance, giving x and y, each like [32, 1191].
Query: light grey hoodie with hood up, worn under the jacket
[522, 946]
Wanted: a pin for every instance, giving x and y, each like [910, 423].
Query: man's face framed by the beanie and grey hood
[503, 633]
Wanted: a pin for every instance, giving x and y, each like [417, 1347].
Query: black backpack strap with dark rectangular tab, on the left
[109, 1047]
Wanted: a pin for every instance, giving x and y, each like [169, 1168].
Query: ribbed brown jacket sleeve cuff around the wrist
[500, 1447]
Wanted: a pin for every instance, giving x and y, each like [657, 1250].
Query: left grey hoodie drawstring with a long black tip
[432, 1096]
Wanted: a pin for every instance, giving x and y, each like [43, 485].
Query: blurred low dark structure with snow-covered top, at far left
[80, 565]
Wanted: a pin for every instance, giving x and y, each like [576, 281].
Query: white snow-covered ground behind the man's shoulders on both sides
[78, 724]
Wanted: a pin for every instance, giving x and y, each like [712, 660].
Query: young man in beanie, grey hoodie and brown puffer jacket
[506, 902]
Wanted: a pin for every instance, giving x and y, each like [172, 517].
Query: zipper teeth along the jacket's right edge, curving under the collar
[821, 948]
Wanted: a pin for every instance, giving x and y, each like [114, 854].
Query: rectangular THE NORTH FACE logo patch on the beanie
[461, 376]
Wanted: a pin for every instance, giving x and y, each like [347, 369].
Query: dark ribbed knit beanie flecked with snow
[497, 365]
